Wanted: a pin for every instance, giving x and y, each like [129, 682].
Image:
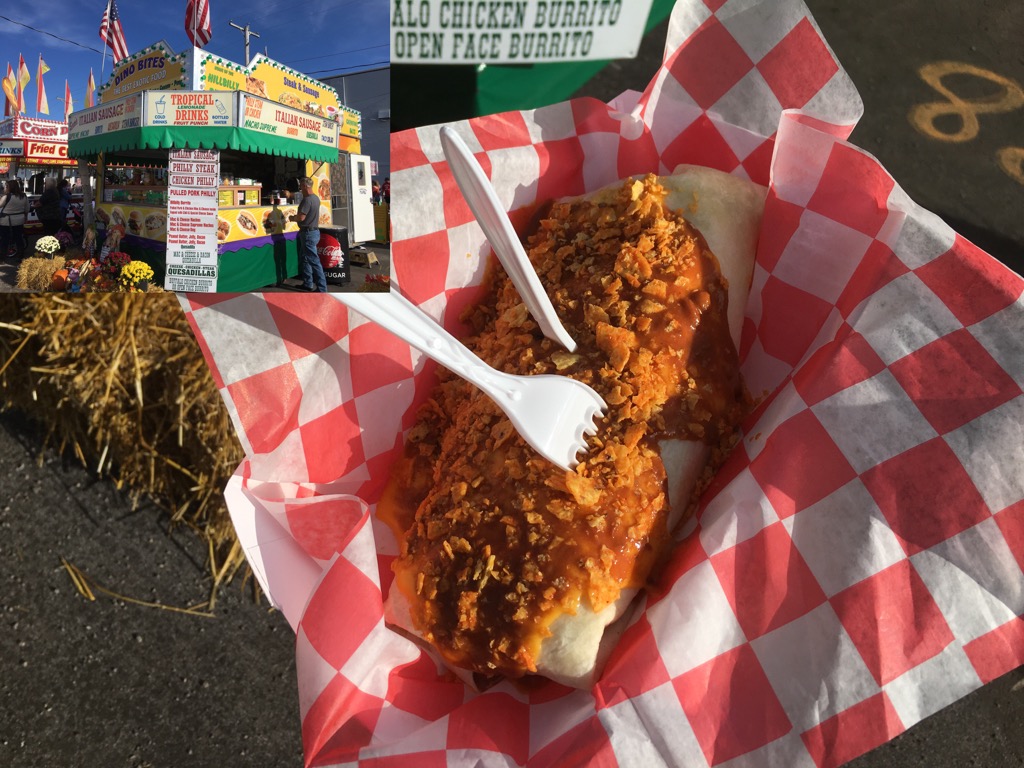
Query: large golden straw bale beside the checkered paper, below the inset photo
[119, 380]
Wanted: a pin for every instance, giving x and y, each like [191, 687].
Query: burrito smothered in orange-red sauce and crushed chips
[510, 567]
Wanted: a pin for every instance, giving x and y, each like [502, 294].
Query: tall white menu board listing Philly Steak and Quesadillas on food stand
[193, 181]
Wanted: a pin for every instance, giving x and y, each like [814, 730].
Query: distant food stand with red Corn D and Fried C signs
[32, 149]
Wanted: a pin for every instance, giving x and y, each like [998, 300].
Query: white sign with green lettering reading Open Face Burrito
[516, 31]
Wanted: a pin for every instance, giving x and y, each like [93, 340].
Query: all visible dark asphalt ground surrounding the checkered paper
[109, 684]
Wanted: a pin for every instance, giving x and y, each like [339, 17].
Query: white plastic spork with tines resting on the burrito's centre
[552, 413]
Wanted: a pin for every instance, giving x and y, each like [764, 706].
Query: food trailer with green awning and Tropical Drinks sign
[197, 158]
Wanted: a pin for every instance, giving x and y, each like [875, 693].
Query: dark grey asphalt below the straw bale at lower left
[109, 684]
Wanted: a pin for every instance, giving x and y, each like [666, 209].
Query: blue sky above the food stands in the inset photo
[320, 38]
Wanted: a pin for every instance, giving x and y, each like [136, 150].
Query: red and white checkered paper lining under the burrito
[857, 566]
